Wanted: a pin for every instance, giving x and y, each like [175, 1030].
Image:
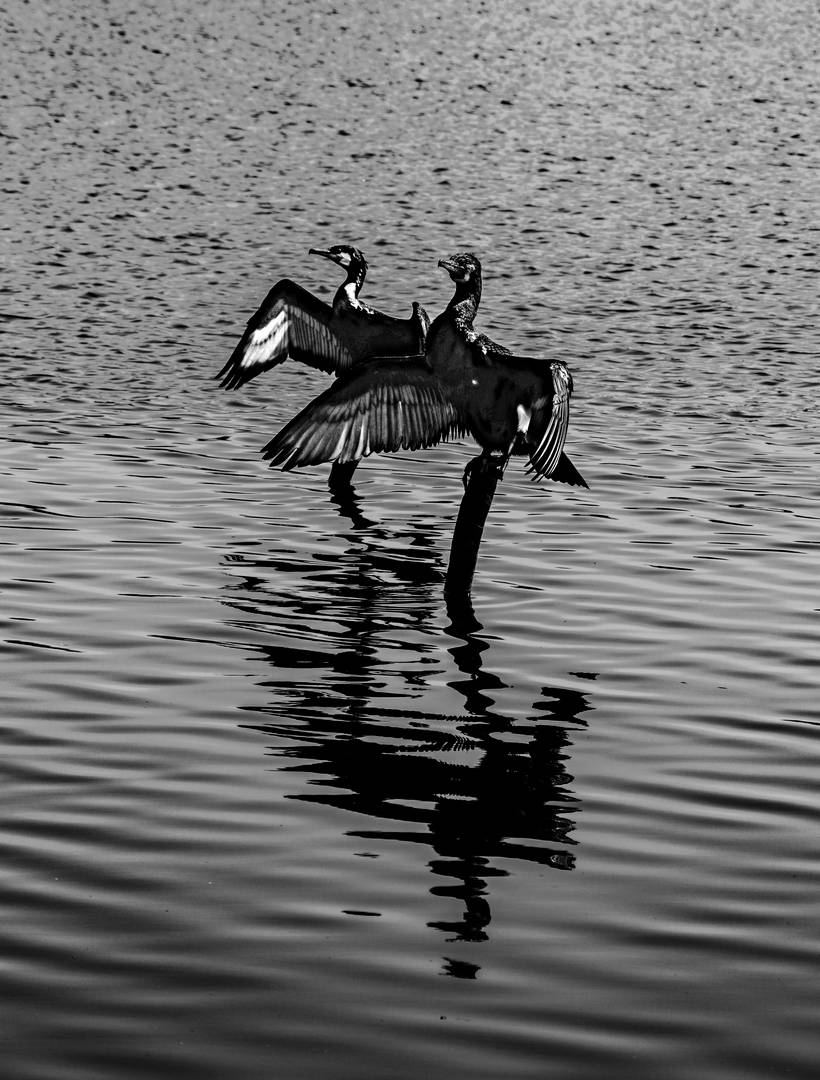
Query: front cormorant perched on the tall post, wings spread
[462, 383]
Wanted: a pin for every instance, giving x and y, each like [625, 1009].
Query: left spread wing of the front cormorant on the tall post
[383, 407]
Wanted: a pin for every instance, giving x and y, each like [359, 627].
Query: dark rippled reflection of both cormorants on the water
[351, 709]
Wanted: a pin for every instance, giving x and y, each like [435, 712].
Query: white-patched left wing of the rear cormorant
[291, 322]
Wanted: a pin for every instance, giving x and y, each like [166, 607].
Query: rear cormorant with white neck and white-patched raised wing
[334, 339]
